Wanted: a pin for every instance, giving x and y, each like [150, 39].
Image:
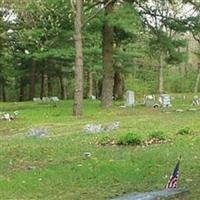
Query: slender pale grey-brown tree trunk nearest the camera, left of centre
[78, 95]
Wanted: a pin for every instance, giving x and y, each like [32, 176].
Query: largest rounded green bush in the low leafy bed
[130, 139]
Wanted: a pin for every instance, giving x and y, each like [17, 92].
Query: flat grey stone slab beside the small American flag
[154, 195]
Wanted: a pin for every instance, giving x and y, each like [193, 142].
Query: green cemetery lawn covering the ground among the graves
[53, 167]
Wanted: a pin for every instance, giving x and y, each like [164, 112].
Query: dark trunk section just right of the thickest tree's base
[118, 86]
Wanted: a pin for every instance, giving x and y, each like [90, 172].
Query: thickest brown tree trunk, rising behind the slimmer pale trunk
[108, 70]
